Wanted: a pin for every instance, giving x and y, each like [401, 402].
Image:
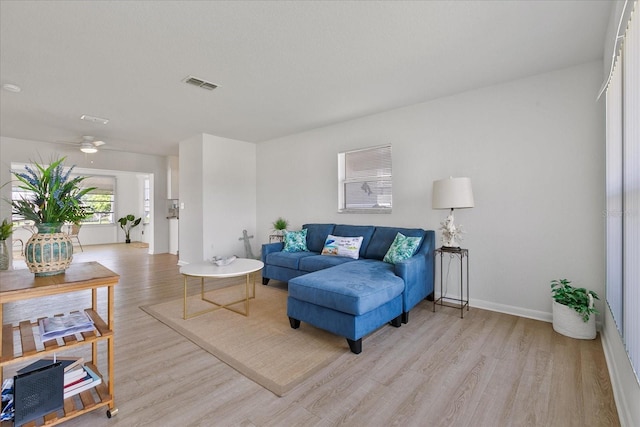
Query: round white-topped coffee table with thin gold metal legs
[240, 267]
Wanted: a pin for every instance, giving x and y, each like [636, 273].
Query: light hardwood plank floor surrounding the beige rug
[488, 369]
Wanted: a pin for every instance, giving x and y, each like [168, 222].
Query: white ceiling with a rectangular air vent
[282, 67]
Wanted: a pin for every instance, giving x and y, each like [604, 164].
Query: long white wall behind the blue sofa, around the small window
[534, 150]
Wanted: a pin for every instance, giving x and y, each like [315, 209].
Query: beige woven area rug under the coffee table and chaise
[263, 346]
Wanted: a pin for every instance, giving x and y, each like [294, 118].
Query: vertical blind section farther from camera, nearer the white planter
[613, 214]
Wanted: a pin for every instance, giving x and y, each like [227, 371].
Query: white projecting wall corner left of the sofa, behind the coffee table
[218, 189]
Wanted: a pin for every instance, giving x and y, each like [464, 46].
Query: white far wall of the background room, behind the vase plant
[125, 166]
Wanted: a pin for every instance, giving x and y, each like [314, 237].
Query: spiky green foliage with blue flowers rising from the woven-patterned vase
[52, 196]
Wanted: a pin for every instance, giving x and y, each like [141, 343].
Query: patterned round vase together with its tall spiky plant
[52, 197]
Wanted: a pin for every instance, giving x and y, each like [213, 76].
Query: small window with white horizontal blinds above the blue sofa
[365, 183]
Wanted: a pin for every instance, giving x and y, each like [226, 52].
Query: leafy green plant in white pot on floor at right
[573, 309]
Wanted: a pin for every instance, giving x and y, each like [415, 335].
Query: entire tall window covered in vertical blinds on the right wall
[623, 192]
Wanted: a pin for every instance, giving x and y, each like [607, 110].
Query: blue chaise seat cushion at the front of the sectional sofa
[355, 287]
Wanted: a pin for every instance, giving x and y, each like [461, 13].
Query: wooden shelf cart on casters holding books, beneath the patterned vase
[19, 285]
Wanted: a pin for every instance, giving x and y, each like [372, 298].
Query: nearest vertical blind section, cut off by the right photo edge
[631, 185]
